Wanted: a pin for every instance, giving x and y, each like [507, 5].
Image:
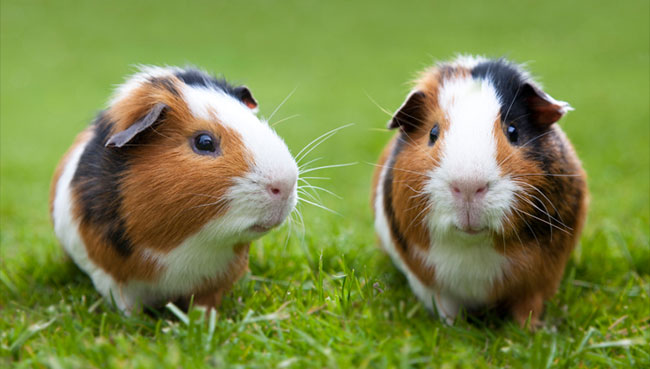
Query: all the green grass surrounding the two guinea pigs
[327, 298]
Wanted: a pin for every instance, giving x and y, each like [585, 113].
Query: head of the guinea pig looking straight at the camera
[476, 145]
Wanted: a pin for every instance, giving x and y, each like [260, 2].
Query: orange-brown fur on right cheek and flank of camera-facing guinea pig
[537, 265]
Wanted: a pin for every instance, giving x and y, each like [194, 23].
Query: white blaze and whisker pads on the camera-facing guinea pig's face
[469, 154]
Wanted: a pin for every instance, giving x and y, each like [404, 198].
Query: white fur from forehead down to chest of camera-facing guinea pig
[467, 266]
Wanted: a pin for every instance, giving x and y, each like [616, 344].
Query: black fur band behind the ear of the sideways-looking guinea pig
[97, 181]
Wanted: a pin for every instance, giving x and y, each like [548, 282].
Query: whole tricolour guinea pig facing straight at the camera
[479, 198]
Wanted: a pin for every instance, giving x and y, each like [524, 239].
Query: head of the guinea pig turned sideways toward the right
[194, 153]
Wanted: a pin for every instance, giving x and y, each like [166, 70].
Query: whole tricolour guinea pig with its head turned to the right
[159, 199]
